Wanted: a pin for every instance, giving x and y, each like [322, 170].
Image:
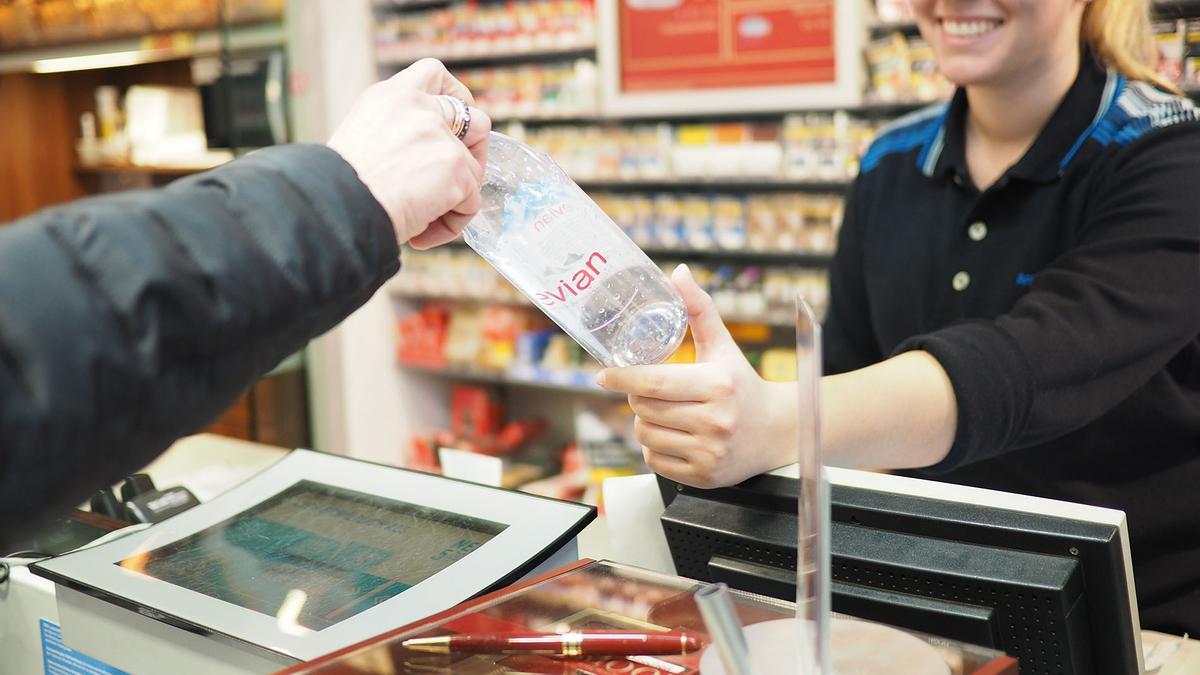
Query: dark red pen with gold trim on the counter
[587, 643]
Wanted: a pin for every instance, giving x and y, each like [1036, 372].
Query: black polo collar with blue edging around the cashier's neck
[1087, 103]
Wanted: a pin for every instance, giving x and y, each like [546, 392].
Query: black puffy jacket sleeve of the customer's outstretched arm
[130, 320]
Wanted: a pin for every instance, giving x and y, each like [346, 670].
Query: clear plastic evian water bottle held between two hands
[560, 249]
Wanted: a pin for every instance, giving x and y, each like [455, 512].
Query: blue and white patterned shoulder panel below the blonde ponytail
[1136, 110]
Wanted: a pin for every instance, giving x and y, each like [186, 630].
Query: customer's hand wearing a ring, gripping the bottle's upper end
[398, 139]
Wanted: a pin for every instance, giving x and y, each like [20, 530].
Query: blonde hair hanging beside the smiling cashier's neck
[1119, 34]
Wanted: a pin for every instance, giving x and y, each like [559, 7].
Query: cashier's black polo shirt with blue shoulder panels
[1064, 302]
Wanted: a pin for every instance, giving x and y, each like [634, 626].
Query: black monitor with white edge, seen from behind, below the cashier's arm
[1049, 583]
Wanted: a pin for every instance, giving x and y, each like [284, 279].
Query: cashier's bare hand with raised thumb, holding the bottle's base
[712, 423]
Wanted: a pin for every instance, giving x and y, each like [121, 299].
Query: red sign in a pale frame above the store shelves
[658, 56]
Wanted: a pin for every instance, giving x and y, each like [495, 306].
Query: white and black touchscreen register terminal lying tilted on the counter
[314, 554]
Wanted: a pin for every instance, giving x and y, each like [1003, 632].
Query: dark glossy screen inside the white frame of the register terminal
[316, 554]
